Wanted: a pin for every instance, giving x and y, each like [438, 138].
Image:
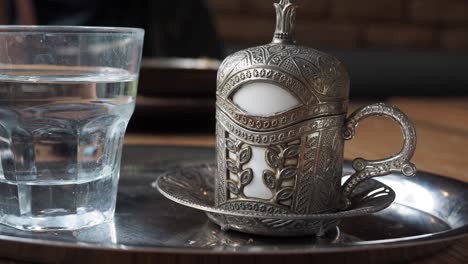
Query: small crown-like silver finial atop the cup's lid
[285, 21]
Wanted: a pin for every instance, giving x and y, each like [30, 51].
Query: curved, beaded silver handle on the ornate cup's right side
[399, 163]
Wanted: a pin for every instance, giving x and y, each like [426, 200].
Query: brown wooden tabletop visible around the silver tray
[442, 127]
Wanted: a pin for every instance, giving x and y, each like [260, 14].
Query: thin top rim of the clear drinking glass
[78, 30]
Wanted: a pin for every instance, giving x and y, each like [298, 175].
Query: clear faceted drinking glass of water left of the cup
[66, 96]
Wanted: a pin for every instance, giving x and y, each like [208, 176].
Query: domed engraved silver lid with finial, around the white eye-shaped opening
[318, 80]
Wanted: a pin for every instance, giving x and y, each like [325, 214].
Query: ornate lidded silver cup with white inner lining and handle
[281, 128]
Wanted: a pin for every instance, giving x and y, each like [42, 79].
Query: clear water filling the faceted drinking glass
[61, 132]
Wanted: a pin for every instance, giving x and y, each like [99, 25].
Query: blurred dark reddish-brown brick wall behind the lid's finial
[347, 24]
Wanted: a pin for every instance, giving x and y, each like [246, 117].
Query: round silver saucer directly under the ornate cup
[193, 186]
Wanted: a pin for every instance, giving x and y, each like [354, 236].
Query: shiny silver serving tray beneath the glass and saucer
[429, 213]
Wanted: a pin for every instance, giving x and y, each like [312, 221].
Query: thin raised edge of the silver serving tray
[451, 235]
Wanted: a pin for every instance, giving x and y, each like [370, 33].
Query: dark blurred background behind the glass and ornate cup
[392, 48]
